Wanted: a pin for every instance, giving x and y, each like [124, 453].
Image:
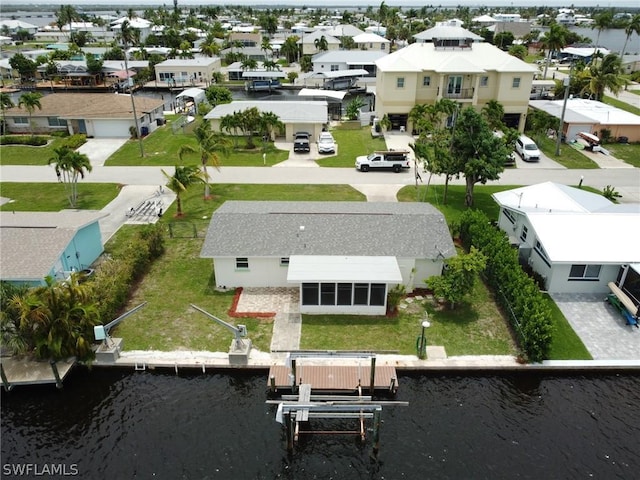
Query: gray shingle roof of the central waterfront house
[239, 229]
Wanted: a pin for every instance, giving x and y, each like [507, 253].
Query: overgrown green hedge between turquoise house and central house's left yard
[116, 276]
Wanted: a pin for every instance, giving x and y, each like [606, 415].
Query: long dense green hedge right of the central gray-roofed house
[516, 292]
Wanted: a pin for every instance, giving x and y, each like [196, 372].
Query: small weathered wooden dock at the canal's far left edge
[27, 371]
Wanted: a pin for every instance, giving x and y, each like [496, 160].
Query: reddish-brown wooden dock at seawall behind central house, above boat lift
[334, 378]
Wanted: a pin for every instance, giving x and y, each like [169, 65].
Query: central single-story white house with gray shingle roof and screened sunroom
[343, 256]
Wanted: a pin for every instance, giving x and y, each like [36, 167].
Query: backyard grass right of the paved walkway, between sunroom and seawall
[473, 328]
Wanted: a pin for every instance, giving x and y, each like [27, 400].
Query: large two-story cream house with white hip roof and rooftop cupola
[469, 72]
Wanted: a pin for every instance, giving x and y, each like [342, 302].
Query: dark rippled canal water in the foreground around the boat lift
[120, 424]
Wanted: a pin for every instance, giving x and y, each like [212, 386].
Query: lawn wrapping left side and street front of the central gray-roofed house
[180, 277]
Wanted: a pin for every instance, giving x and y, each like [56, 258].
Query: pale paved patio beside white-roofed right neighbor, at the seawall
[600, 327]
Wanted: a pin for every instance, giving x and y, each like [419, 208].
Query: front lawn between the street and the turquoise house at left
[51, 197]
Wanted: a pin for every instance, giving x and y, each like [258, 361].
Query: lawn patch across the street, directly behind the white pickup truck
[351, 144]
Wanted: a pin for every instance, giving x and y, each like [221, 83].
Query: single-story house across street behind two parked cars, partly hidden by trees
[297, 116]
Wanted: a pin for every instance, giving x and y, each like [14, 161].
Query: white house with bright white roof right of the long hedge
[576, 240]
